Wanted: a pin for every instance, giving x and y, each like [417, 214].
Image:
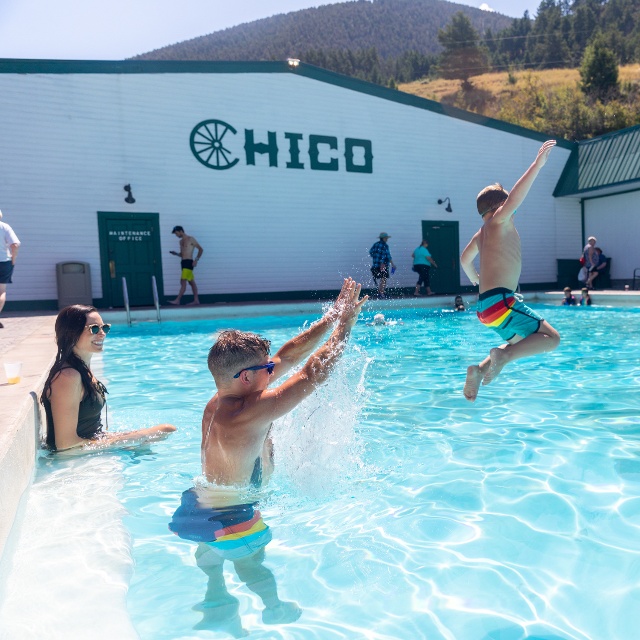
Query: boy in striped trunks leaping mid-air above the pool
[499, 307]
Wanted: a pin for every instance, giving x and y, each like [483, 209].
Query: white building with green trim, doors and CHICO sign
[285, 174]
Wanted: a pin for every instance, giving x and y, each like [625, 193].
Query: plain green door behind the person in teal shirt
[444, 246]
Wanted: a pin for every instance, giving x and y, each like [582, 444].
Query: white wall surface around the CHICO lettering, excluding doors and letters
[71, 141]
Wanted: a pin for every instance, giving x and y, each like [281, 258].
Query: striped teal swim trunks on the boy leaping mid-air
[505, 312]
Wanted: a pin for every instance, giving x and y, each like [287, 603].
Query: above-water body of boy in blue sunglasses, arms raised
[236, 424]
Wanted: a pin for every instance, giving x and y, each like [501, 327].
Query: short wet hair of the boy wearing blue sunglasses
[235, 350]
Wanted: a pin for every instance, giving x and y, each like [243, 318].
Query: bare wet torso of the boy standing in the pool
[234, 447]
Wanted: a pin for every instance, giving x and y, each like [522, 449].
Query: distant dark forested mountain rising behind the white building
[392, 27]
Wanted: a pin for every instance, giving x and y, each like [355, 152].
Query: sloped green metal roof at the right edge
[610, 161]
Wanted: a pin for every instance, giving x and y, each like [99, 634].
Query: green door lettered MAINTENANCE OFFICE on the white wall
[129, 248]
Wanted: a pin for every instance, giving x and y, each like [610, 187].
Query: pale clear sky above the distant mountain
[117, 29]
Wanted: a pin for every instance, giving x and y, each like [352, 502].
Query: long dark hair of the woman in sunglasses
[70, 324]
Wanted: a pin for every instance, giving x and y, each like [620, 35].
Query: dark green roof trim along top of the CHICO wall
[23, 66]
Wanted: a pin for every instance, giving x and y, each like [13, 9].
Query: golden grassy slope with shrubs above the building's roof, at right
[545, 100]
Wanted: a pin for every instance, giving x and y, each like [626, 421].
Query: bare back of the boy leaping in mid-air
[498, 244]
